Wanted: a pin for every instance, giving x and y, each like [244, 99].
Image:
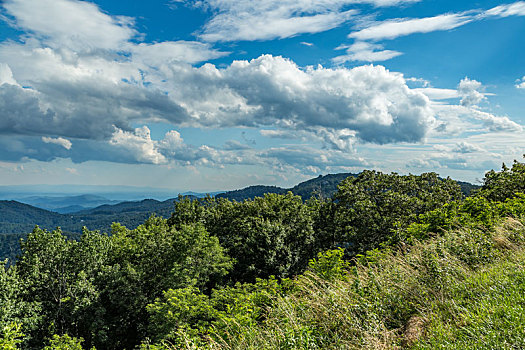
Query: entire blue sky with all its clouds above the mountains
[211, 95]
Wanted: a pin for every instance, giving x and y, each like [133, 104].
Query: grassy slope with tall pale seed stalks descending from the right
[462, 290]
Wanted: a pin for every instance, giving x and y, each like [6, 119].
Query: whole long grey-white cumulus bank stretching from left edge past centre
[85, 99]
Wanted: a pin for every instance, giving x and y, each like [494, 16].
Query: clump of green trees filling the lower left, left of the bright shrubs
[98, 287]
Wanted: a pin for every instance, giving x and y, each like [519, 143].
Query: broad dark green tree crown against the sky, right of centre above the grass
[372, 205]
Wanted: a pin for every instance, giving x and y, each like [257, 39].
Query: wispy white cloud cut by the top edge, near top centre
[235, 20]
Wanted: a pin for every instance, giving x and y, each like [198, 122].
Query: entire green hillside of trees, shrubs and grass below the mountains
[387, 261]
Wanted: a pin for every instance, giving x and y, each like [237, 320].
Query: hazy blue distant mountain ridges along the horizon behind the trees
[17, 219]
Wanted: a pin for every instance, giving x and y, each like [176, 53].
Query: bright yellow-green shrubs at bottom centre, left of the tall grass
[185, 315]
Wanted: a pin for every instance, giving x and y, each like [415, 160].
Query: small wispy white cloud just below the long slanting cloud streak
[365, 52]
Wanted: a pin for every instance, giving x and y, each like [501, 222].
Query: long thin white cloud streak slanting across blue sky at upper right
[395, 28]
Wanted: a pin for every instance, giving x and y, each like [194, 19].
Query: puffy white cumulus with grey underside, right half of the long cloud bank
[370, 100]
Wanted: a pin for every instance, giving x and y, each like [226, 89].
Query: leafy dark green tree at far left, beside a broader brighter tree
[59, 276]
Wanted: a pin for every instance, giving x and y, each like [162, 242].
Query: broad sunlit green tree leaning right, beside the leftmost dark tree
[148, 260]
